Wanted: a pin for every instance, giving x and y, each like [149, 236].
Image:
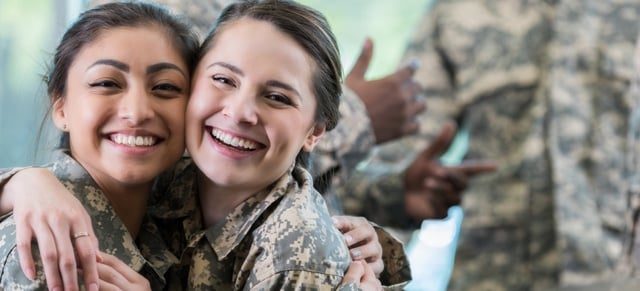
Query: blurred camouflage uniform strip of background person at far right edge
[589, 109]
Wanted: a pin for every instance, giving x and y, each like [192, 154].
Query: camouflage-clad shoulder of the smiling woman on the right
[299, 235]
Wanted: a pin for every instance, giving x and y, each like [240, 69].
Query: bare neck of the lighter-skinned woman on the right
[218, 201]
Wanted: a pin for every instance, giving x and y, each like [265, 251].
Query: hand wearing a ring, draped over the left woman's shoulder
[45, 210]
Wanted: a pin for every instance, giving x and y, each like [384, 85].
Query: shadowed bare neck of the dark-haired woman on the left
[129, 202]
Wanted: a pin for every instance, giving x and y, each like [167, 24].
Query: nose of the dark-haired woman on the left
[135, 106]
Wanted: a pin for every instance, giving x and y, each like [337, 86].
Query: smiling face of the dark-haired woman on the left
[124, 105]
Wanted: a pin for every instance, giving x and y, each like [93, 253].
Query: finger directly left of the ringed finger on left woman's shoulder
[66, 256]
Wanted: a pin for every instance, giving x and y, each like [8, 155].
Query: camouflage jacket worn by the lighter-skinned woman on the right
[281, 237]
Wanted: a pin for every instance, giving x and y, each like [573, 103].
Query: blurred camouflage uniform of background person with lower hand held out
[482, 66]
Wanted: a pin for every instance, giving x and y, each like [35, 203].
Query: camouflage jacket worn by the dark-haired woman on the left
[147, 254]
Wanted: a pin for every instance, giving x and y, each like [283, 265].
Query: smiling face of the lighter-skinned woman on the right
[252, 107]
